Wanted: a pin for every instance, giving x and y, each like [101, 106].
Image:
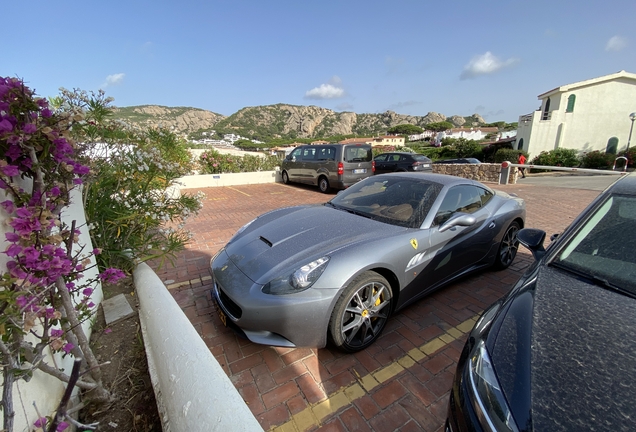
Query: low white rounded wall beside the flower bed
[193, 392]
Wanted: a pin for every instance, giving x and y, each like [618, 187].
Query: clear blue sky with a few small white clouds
[454, 57]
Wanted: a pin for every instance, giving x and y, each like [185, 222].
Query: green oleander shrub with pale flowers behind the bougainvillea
[131, 210]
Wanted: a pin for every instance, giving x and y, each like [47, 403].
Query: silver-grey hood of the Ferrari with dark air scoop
[292, 237]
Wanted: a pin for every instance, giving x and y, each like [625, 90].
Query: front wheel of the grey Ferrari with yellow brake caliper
[361, 312]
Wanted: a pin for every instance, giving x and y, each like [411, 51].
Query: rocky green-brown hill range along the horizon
[281, 121]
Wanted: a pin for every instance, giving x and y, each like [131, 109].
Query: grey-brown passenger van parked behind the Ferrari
[328, 166]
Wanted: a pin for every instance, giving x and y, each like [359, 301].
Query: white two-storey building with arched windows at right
[586, 116]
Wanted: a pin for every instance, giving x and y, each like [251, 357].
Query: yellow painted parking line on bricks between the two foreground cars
[313, 415]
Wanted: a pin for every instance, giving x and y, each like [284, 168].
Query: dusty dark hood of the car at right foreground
[583, 355]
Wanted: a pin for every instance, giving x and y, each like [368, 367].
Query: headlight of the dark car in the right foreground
[487, 398]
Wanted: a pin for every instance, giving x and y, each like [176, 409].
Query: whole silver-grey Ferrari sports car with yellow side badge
[313, 274]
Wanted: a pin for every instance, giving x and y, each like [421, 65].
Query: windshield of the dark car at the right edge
[604, 248]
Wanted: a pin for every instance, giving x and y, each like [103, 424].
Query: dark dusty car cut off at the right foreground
[558, 352]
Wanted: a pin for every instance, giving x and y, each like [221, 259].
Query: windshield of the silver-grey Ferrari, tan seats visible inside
[395, 200]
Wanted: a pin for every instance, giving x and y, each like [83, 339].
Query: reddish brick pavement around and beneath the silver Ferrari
[401, 382]
